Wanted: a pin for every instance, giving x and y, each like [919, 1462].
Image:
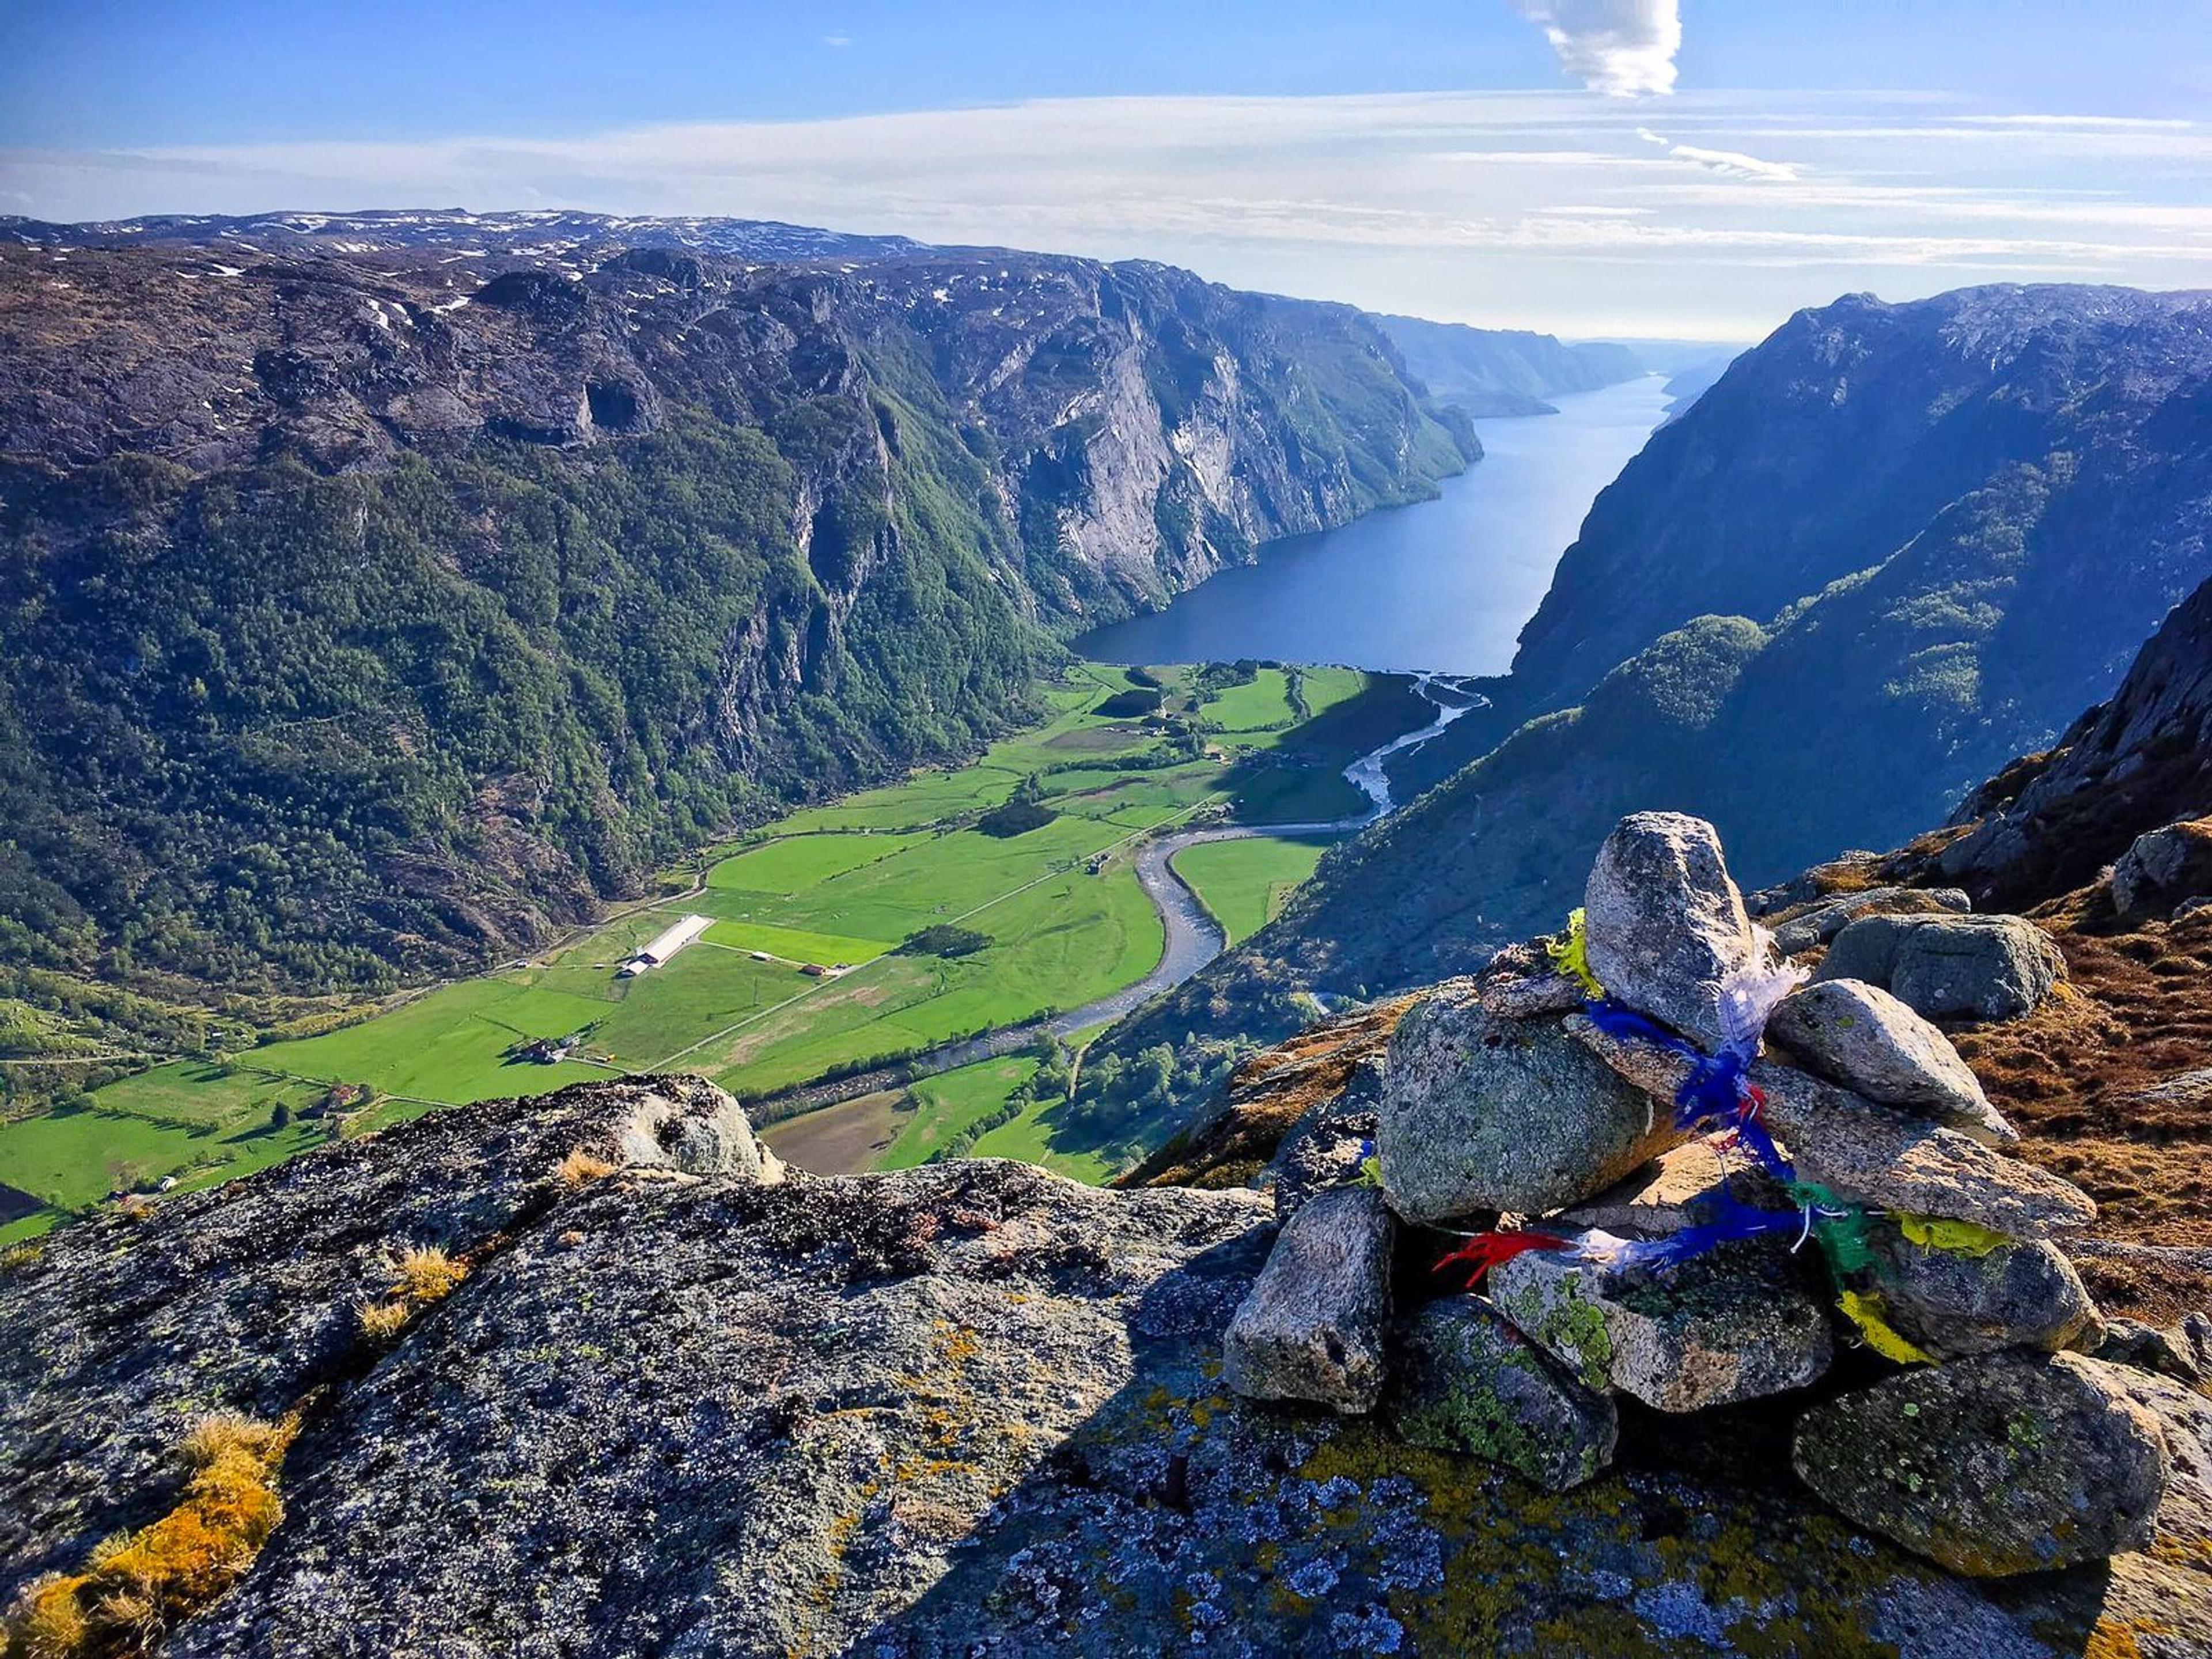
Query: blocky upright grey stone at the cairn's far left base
[1315, 1322]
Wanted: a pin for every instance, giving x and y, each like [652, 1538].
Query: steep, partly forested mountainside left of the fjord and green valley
[384, 592]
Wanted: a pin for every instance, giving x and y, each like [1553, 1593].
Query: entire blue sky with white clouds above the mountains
[1665, 167]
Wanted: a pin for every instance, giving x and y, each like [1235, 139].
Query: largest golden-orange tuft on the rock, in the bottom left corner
[143, 1585]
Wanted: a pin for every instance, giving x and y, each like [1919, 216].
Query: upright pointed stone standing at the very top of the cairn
[1665, 921]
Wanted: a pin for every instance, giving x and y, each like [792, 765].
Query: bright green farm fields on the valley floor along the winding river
[842, 884]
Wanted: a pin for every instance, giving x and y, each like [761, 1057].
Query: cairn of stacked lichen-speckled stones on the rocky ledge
[1987, 1441]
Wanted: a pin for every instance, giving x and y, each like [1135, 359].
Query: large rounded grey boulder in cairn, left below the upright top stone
[1488, 1114]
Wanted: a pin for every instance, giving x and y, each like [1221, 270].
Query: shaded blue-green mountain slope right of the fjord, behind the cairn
[1888, 552]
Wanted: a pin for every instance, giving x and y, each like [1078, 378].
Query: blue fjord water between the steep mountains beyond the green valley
[1441, 585]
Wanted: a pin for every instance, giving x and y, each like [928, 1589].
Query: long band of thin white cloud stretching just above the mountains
[1558, 211]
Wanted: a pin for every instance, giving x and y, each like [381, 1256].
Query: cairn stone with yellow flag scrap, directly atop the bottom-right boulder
[1954, 1304]
